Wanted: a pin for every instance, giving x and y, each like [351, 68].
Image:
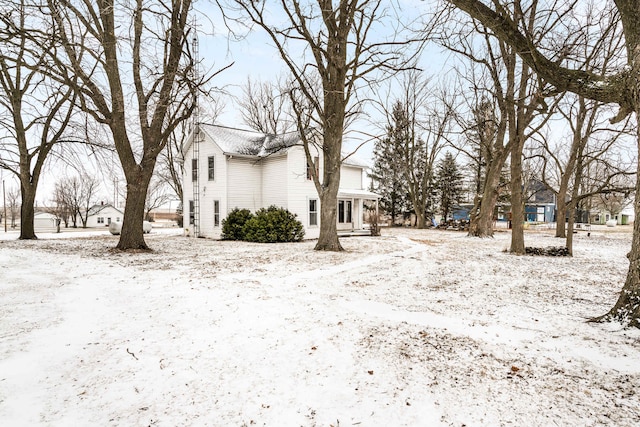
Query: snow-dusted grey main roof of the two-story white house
[247, 142]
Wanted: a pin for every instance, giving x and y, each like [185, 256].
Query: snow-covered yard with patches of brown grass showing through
[414, 328]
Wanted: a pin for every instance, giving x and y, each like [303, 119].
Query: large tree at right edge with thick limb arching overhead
[619, 86]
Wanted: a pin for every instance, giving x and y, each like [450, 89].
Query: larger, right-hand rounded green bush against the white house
[273, 225]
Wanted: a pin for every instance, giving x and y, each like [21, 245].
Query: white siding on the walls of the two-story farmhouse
[251, 183]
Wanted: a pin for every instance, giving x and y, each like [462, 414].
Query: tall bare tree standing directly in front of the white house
[339, 38]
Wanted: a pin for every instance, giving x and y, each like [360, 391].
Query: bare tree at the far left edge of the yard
[38, 111]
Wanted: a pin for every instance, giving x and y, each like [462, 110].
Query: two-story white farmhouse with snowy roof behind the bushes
[227, 168]
